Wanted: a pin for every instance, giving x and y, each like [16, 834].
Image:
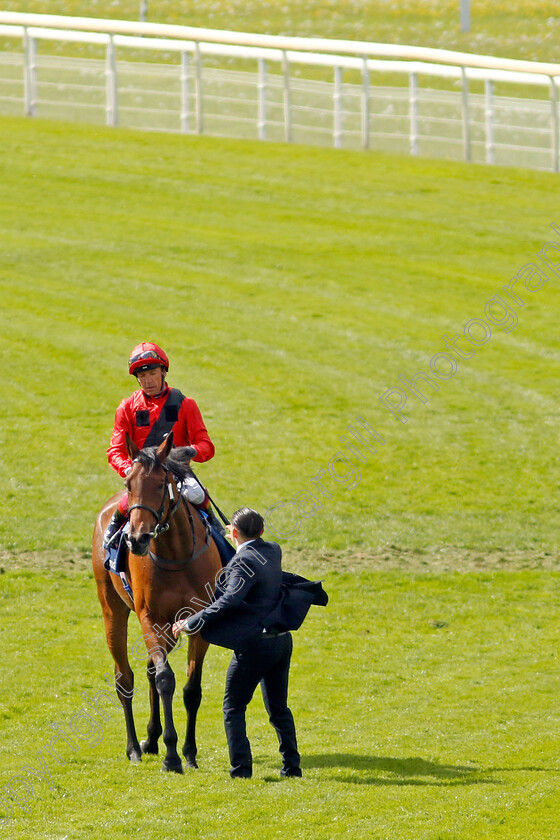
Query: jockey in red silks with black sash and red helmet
[148, 415]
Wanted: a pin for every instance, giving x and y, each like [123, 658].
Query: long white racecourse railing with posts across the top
[282, 93]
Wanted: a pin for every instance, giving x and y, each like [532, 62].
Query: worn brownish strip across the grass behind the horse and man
[306, 561]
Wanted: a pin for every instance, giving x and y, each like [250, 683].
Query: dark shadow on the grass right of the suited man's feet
[381, 770]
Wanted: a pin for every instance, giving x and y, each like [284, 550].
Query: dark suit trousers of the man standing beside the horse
[264, 660]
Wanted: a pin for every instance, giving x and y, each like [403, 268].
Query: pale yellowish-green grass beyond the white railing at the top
[527, 29]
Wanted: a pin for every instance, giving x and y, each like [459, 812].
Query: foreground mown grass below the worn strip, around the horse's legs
[426, 707]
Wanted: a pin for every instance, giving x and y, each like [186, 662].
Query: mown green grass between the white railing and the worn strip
[291, 288]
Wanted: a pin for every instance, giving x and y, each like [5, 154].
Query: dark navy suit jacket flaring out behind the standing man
[254, 595]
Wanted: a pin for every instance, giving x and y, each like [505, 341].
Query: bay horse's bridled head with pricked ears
[150, 492]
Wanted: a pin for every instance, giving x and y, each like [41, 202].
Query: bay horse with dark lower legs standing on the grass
[172, 566]
